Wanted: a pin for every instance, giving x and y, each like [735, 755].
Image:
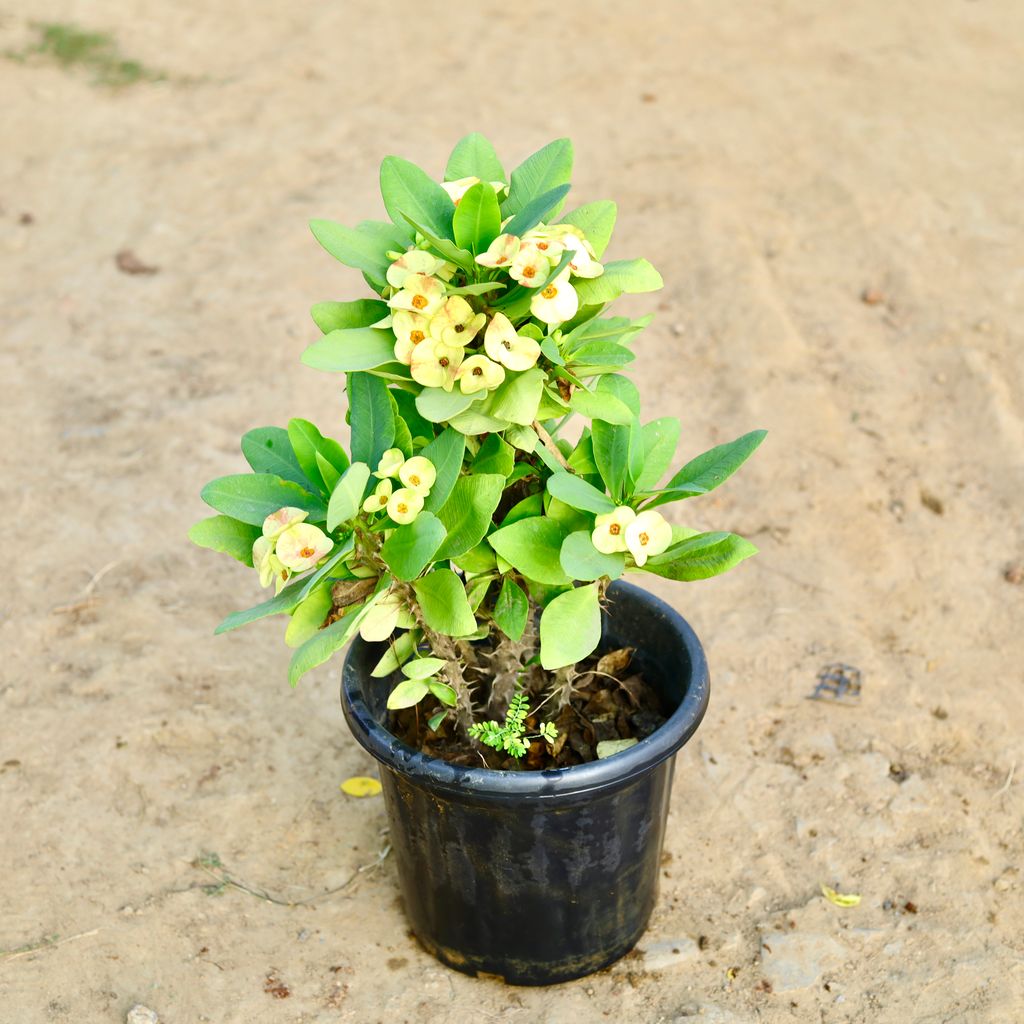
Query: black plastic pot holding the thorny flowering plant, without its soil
[537, 877]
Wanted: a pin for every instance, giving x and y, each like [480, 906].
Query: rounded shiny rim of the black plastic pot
[491, 784]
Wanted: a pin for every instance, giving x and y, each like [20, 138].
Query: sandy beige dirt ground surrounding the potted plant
[833, 193]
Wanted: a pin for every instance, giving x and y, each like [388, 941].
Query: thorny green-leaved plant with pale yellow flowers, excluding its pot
[498, 475]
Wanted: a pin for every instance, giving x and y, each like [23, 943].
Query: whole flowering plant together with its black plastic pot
[524, 703]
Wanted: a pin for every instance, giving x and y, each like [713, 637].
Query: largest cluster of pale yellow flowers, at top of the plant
[436, 329]
